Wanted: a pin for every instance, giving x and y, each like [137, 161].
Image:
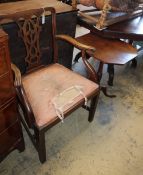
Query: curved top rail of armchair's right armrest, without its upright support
[74, 42]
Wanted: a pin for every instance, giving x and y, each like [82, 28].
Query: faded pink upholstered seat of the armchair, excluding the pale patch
[43, 85]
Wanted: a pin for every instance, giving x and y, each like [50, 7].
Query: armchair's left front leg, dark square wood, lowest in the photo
[41, 148]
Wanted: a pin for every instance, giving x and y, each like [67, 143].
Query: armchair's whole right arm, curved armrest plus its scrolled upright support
[84, 48]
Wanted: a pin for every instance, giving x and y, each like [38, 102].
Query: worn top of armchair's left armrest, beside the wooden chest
[17, 75]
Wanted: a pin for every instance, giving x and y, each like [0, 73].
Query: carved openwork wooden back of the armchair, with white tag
[30, 26]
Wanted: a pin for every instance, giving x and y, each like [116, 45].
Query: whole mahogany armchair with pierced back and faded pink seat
[43, 88]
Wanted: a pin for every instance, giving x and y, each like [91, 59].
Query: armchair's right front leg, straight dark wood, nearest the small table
[93, 106]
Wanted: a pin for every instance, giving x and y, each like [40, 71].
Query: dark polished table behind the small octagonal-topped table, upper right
[131, 29]
